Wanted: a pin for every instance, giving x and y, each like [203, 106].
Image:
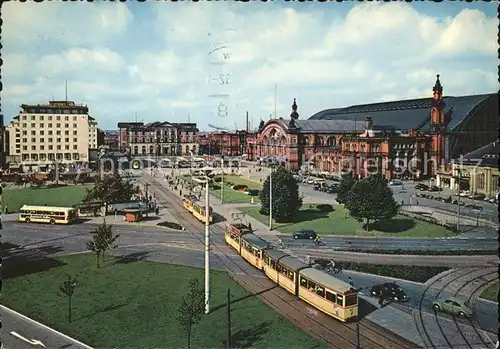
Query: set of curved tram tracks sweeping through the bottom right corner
[423, 328]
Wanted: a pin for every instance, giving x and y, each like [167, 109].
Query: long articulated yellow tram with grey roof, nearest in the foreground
[326, 293]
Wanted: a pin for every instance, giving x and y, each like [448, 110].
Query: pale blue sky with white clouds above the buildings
[162, 61]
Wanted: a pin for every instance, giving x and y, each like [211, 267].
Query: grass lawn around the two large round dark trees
[334, 223]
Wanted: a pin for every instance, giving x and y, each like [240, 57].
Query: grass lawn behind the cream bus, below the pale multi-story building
[14, 198]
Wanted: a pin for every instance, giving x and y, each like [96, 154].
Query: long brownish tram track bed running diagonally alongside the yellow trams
[332, 332]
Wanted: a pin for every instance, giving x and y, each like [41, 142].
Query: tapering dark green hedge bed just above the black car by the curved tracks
[406, 272]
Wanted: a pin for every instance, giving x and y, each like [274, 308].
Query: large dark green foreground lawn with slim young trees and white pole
[133, 304]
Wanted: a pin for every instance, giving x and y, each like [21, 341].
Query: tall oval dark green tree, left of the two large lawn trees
[286, 199]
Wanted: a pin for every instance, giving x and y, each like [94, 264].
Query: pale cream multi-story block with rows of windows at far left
[44, 135]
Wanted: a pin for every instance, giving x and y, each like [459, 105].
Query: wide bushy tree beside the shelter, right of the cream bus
[110, 189]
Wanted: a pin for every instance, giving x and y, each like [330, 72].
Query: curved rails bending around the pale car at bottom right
[435, 333]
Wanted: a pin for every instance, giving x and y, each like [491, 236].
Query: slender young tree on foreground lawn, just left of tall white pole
[191, 308]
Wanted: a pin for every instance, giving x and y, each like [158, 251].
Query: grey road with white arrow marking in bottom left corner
[12, 322]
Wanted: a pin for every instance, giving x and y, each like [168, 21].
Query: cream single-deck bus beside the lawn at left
[47, 214]
